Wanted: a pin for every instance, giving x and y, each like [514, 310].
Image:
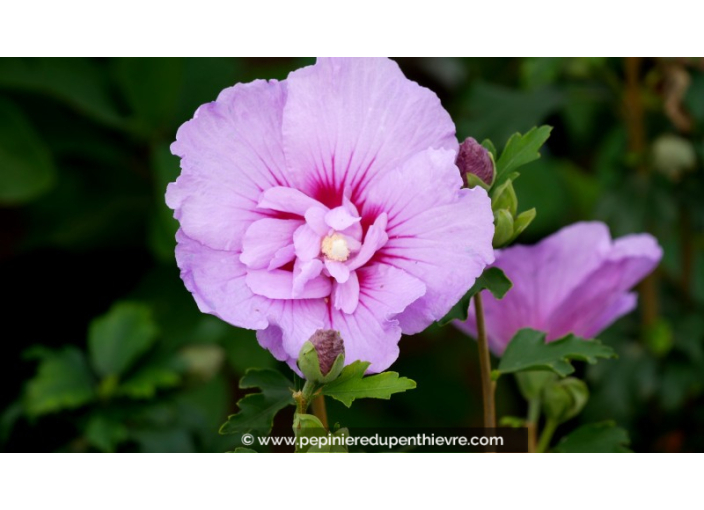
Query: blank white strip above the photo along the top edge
[361, 28]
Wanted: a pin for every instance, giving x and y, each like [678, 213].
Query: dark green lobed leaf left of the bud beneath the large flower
[257, 410]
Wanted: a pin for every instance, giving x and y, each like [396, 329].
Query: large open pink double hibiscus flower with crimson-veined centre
[330, 200]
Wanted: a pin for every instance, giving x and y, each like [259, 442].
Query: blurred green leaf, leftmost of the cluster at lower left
[63, 381]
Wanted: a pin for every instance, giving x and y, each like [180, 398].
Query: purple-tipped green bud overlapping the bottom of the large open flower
[322, 358]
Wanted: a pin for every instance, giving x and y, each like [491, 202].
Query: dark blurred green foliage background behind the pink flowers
[105, 350]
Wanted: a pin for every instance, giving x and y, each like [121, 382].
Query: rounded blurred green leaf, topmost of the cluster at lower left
[117, 339]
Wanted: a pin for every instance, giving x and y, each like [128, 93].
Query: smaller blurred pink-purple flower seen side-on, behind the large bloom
[575, 281]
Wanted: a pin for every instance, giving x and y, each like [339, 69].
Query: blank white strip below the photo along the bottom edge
[174, 481]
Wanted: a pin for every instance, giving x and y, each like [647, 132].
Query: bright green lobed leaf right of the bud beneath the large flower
[351, 384]
